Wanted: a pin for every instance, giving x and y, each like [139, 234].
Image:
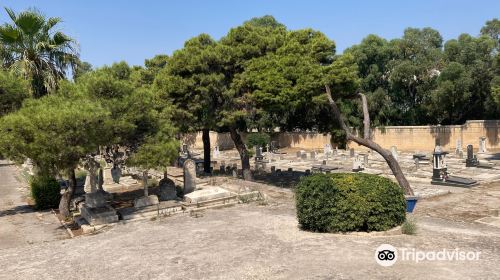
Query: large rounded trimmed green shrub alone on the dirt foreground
[343, 202]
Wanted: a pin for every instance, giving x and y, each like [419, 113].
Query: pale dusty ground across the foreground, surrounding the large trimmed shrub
[252, 241]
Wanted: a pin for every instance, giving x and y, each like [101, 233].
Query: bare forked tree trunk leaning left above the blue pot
[389, 158]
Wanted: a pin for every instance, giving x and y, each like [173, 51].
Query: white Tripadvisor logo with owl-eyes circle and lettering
[387, 255]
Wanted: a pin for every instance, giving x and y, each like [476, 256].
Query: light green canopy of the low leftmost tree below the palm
[54, 131]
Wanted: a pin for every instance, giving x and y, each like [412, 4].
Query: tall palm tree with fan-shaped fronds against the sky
[32, 48]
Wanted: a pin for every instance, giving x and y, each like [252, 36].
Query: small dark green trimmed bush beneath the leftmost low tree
[45, 191]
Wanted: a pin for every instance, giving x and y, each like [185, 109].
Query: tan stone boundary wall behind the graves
[405, 138]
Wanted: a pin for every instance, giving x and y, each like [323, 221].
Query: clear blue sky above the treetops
[110, 31]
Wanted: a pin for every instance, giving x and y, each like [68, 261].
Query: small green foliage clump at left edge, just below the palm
[13, 90]
